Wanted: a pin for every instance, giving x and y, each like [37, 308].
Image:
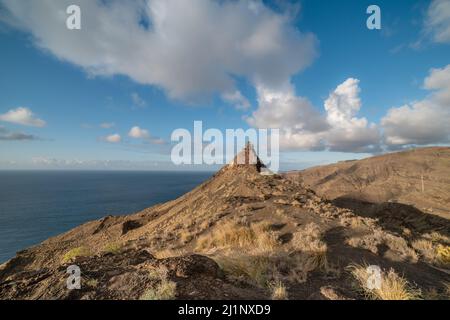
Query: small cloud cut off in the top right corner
[437, 22]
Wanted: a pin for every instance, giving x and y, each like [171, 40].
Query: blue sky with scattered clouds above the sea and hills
[110, 95]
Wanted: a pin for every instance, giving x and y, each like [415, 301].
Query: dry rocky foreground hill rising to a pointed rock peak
[240, 235]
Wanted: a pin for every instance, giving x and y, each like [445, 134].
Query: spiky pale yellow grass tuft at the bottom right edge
[393, 286]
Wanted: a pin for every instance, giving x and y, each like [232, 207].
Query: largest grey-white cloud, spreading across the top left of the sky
[165, 42]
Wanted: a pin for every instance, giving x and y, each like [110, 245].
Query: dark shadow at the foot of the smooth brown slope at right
[396, 217]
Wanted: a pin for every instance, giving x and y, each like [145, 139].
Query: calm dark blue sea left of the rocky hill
[36, 205]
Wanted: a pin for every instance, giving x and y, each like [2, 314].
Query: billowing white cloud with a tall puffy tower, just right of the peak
[302, 127]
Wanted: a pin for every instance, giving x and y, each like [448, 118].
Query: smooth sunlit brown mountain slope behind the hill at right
[395, 177]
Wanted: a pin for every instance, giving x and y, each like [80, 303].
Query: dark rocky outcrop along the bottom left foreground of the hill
[127, 275]
